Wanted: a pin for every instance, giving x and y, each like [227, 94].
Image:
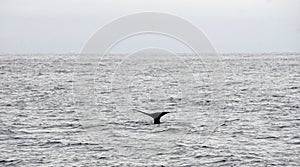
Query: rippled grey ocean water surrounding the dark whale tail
[61, 110]
